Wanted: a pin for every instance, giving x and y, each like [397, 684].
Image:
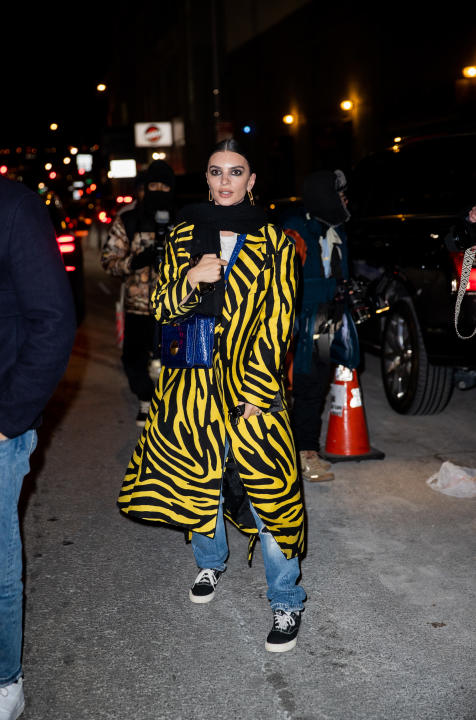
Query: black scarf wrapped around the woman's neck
[209, 220]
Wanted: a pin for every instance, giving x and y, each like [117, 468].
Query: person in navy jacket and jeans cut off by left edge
[37, 329]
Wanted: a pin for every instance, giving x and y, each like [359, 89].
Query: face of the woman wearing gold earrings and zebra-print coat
[229, 178]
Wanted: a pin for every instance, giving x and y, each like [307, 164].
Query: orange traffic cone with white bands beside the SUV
[347, 435]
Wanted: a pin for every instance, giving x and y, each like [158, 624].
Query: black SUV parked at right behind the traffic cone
[408, 205]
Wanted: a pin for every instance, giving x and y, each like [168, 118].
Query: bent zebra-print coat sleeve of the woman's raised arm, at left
[173, 287]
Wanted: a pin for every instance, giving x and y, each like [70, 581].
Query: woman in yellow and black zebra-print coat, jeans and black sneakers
[177, 472]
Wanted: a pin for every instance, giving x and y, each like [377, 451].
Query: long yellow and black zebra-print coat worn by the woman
[175, 473]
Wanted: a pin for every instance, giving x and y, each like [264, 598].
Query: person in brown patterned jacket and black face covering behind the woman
[133, 251]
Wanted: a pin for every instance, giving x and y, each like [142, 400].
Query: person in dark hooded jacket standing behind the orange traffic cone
[321, 246]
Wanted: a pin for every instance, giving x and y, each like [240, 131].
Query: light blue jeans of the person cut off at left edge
[14, 465]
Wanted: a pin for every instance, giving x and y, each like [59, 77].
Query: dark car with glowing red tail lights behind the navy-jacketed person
[69, 243]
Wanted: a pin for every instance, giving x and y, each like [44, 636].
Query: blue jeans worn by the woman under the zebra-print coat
[281, 574]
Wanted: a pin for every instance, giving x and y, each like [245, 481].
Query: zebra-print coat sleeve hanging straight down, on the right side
[262, 379]
